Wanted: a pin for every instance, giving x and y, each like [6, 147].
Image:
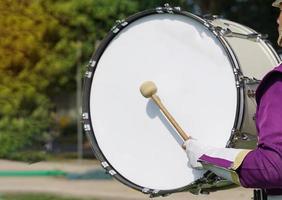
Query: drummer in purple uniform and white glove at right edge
[262, 167]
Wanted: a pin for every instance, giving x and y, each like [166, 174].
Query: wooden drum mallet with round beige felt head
[148, 89]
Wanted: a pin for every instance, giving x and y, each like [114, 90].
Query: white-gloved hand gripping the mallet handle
[194, 151]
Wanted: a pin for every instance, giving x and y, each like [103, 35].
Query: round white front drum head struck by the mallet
[195, 81]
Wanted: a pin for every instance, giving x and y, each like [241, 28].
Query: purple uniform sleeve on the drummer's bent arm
[262, 167]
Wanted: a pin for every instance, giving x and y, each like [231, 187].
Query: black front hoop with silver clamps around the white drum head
[91, 67]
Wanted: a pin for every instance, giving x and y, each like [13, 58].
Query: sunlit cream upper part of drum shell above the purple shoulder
[255, 55]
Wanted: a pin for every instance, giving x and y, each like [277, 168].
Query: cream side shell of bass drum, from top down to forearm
[256, 57]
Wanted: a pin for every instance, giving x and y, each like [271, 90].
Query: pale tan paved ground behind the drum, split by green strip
[102, 189]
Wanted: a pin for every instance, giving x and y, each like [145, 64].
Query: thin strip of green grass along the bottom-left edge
[37, 196]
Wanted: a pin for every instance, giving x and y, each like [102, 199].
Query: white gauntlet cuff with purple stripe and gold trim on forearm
[224, 162]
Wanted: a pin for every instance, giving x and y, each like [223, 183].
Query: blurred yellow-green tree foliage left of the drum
[40, 41]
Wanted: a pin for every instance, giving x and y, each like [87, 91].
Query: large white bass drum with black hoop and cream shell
[200, 70]
